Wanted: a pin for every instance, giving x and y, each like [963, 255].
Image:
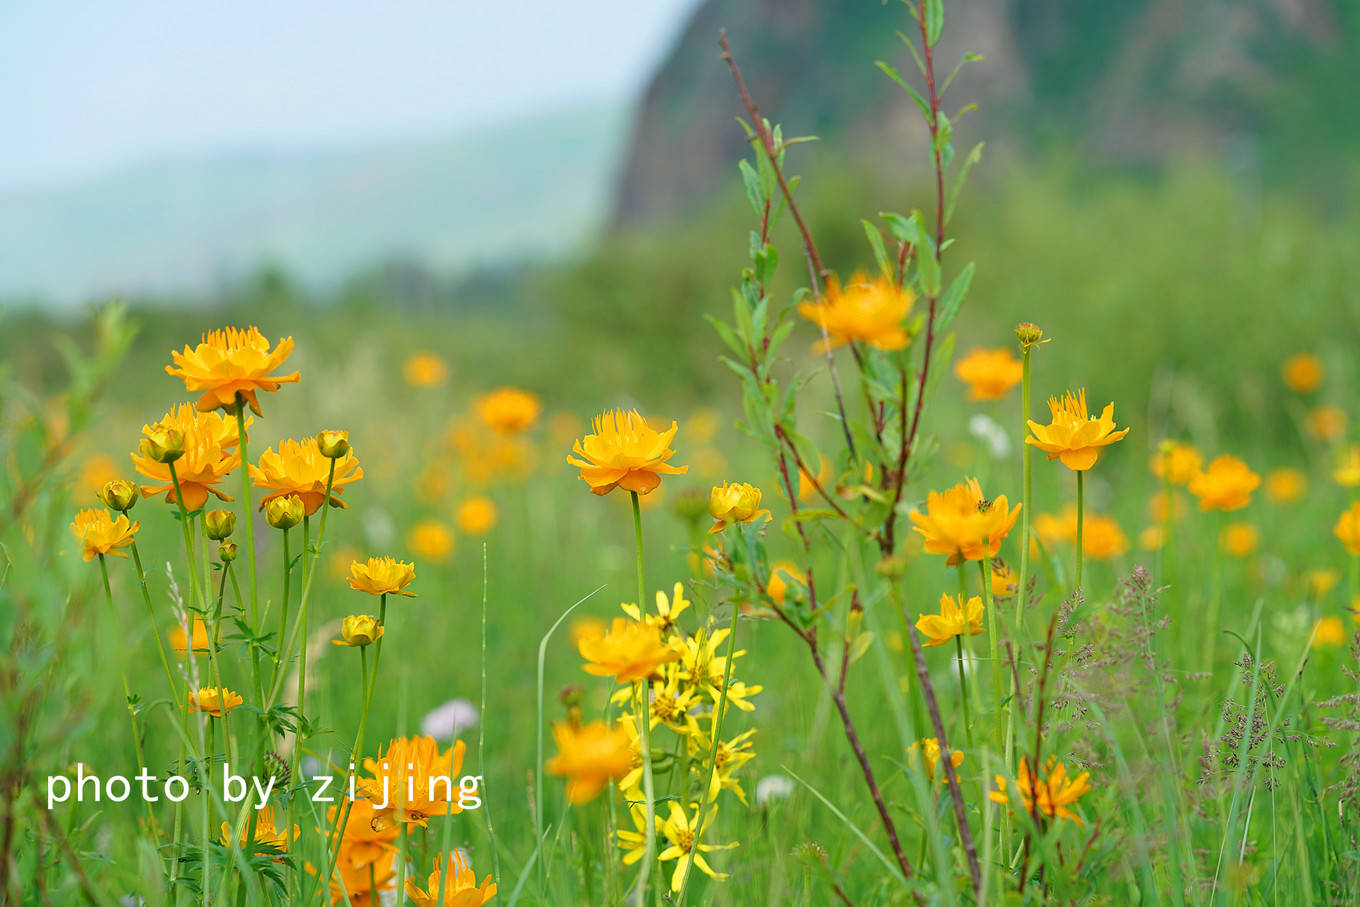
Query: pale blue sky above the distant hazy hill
[90, 86]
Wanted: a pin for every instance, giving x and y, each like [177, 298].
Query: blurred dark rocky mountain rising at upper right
[1106, 81]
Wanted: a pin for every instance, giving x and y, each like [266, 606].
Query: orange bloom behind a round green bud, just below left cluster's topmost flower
[210, 453]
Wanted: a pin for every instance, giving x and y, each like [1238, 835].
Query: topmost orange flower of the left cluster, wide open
[229, 364]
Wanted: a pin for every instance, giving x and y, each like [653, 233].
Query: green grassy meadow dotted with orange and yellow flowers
[1165, 638]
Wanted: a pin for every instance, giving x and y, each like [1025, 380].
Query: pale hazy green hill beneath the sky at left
[191, 226]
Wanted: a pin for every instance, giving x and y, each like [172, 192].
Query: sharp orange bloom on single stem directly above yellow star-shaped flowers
[625, 452]
